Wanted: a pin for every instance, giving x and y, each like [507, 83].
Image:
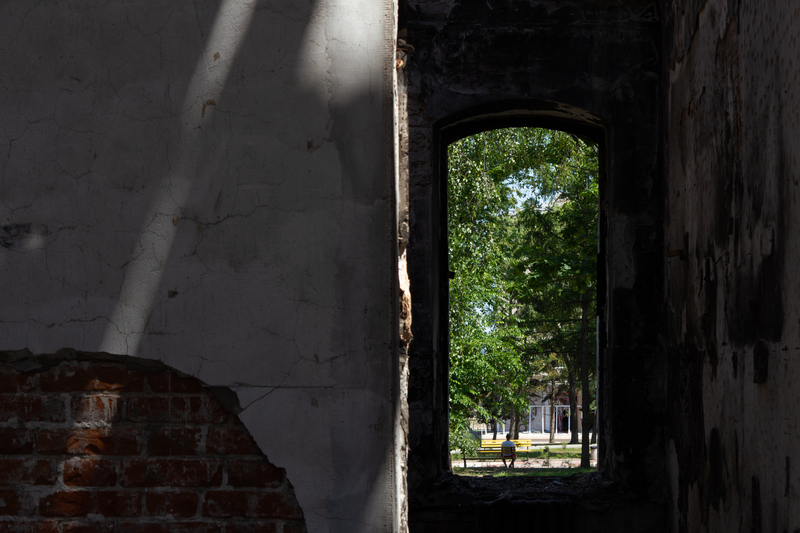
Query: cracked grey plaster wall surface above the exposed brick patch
[212, 185]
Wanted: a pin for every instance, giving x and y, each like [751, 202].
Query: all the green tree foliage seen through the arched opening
[522, 243]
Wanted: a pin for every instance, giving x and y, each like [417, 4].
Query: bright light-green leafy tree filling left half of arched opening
[484, 358]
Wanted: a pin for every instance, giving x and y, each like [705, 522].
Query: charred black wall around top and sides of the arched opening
[570, 64]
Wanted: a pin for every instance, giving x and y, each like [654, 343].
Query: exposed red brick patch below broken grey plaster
[98, 447]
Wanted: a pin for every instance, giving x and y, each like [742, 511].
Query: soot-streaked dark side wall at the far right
[731, 138]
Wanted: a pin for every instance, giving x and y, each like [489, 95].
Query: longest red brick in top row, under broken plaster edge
[91, 377]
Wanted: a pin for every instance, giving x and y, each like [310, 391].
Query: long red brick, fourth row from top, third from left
[171, 473]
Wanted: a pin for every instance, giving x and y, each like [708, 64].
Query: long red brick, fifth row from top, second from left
[82, 503]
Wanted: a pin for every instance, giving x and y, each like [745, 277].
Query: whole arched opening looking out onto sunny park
[522, 218]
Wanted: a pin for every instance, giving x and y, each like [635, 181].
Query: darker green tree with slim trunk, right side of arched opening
[559, 259]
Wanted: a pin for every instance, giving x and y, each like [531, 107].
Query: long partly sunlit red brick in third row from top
[107, 441]
